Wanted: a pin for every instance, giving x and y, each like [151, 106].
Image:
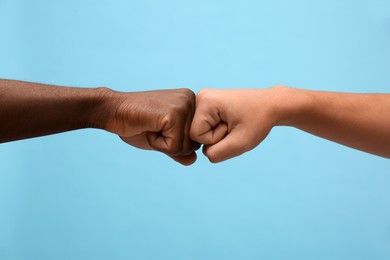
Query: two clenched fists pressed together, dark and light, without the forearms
[176, 122]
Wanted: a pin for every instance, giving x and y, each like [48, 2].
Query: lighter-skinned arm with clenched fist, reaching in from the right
[232, 122]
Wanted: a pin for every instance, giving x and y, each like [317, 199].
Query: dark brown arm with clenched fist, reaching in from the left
[153, 120]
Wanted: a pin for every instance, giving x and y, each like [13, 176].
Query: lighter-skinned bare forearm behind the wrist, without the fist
[360, 121]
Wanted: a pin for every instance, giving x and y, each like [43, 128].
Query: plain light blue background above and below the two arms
[87, 195]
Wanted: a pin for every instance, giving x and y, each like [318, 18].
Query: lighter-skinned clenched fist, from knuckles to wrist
[231, 122]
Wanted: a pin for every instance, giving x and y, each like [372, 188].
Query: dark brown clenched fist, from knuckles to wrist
[156, 120]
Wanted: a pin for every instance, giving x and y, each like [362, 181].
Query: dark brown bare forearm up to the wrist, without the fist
[30, 109]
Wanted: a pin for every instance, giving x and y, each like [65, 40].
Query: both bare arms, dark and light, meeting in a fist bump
[176, 122]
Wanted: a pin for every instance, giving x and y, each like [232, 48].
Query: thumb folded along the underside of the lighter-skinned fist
[230, 146]
